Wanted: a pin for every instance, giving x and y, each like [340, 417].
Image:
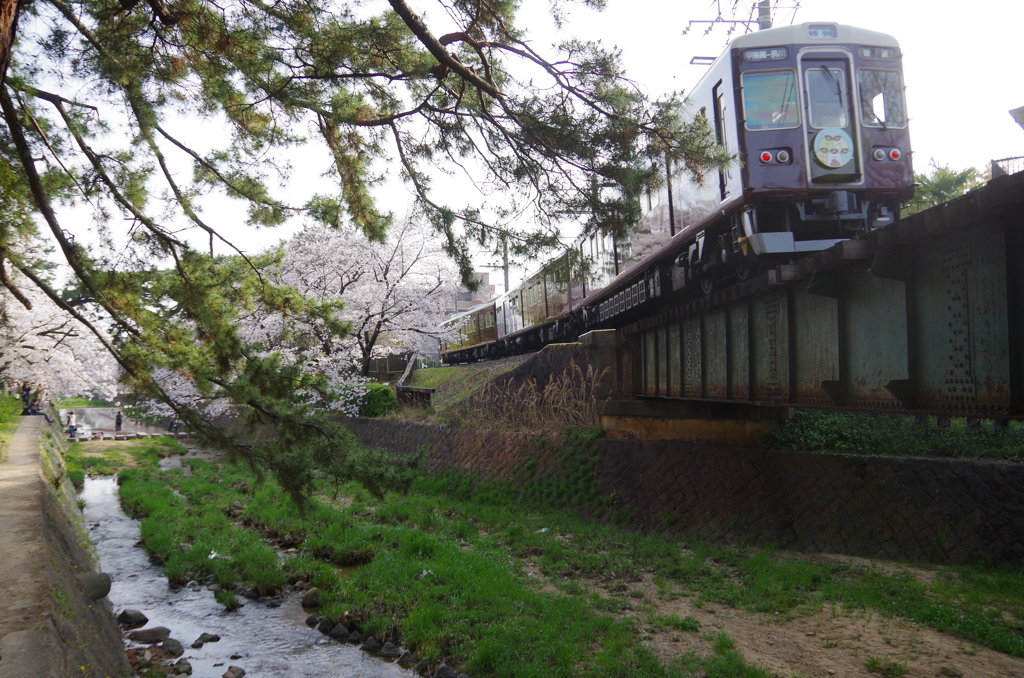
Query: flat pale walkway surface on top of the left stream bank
[25, 649]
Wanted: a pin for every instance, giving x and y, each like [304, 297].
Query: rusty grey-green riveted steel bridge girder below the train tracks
[926, 316]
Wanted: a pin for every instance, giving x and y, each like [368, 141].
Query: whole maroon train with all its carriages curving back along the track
[816, 117]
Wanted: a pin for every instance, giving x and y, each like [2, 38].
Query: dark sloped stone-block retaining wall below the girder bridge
[922, 511]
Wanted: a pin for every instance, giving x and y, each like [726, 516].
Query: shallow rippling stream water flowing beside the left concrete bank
[270, 643]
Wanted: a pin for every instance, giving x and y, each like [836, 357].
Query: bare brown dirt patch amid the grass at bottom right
[828, 642]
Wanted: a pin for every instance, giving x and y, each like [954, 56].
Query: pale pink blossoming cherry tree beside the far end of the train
[390, 296]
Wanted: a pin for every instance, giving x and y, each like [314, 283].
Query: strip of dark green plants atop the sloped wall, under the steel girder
[860, 434]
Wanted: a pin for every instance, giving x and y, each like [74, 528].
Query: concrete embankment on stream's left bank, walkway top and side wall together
[52, 621]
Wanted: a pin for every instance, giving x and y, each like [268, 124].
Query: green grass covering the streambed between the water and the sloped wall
[484, 578]
